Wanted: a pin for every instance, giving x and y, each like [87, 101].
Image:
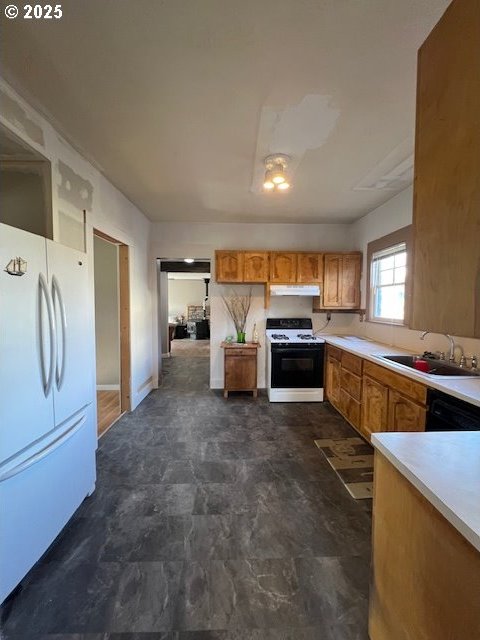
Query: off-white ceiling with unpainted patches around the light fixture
[179, 101]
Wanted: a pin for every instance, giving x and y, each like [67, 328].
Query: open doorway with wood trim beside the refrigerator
[112, 329]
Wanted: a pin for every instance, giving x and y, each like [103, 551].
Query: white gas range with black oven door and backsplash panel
[295, 361]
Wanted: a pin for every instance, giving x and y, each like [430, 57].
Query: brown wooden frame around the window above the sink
[390, 241]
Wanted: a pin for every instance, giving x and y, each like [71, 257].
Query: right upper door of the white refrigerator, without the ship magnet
[73, 385]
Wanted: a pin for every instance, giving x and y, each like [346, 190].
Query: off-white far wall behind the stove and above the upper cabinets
[177, 240]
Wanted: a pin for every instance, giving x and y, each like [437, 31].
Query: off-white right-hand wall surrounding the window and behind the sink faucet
[393, 215]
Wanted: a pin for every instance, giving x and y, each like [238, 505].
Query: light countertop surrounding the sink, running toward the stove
[467, 389]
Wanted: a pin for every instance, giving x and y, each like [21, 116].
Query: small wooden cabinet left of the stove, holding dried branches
[240, 367]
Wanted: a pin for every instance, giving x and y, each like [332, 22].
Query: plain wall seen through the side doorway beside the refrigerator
[107, 325]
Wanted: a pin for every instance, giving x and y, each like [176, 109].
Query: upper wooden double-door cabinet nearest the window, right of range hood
[341, 281]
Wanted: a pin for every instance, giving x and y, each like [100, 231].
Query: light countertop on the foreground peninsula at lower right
[445, 468]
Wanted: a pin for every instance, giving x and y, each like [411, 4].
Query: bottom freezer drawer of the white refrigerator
[40, 493]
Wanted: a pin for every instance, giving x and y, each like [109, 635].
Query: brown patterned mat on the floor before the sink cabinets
[352, 461]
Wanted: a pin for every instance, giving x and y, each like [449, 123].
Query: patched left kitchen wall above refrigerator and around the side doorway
[107, 210]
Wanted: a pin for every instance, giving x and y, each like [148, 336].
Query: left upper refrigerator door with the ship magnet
[26, 334]
